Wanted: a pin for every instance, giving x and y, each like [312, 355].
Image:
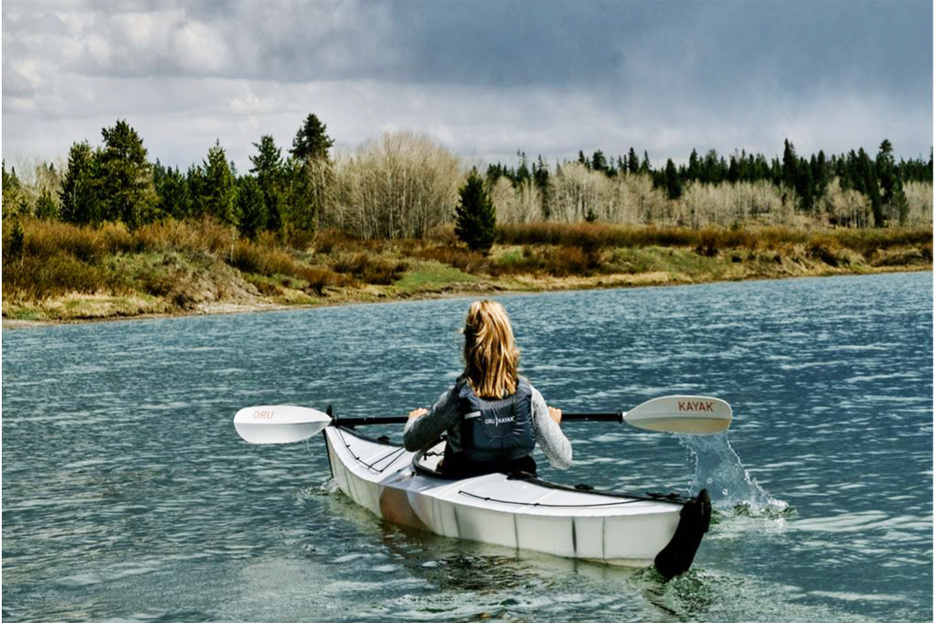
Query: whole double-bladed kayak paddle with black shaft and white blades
[694, 415]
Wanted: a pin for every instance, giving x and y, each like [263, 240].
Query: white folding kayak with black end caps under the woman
[520, 512]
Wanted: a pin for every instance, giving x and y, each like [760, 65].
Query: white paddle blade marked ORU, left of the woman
[279, 423]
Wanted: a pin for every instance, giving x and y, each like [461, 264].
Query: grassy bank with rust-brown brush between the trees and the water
[54, 271]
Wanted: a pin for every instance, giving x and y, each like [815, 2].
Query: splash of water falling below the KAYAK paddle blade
[731, 488]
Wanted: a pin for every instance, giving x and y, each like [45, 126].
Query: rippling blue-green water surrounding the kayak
[127, 495]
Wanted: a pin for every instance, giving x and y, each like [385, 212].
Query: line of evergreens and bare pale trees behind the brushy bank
[404, 184]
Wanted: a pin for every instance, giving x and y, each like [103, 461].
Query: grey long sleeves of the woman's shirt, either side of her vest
[444, 417]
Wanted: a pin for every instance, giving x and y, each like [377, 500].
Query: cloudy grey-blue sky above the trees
[484, 78]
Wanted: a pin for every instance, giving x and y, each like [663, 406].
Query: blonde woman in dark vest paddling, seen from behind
[493, 418]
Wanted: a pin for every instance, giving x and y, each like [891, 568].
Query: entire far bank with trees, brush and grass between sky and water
[110, 232]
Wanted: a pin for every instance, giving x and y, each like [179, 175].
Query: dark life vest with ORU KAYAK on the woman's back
[496, 431]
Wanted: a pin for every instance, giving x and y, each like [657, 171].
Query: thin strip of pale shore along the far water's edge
[455, 290]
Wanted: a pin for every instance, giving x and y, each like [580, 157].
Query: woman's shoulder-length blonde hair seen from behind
[490, 352]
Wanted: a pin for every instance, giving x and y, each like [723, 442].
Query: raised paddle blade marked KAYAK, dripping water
[692, 415]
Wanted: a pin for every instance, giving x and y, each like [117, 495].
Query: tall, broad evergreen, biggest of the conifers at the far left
[127, 192]
